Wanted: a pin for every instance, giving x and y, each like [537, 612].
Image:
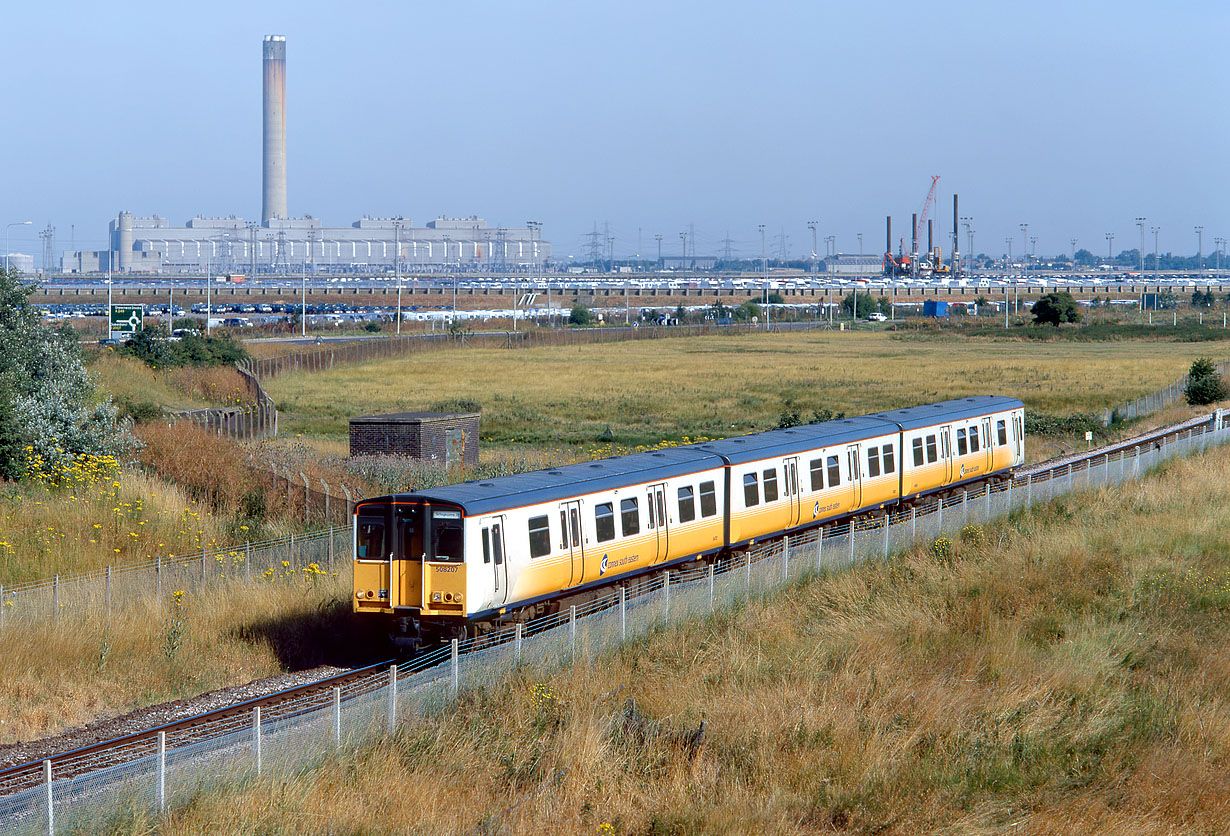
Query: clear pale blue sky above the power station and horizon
[1072, 117]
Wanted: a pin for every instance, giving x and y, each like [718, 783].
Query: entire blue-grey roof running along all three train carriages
[506, 492]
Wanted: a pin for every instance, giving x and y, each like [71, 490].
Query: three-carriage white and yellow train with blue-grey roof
[459, 560]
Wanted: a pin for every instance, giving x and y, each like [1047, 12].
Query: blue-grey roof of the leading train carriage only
[505, 492]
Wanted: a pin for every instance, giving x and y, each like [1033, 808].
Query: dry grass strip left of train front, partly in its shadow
[56, 677]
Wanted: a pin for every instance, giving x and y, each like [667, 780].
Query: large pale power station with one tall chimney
[280, 244]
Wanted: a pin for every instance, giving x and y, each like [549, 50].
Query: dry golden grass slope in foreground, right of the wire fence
[1068, 672]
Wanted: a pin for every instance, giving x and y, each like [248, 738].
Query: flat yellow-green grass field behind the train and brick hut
[718, 387]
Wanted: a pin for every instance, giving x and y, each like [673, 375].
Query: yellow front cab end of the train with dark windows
[410, 566]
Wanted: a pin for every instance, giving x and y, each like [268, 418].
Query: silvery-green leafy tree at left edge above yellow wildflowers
[49, 404]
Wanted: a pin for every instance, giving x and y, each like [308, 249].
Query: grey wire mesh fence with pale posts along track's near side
[165, 770]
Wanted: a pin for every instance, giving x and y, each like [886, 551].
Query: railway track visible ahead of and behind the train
[292, 703]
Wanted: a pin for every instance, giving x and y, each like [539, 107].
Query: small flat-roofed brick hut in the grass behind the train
[441, 437]
